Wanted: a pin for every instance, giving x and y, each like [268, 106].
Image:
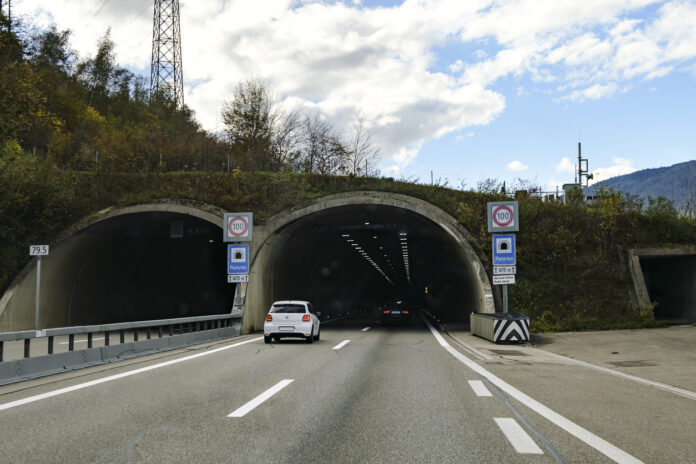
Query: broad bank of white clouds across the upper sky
[343, 58]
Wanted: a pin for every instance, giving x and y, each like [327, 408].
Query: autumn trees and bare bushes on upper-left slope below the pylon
[90, 113]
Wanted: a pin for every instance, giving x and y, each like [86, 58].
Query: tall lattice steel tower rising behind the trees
[166, 73]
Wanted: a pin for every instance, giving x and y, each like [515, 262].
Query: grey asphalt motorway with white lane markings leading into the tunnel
[398, 394]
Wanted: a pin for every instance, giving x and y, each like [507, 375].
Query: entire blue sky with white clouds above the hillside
[469, 90]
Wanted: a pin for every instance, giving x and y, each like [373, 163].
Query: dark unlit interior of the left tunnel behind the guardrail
[146, 266]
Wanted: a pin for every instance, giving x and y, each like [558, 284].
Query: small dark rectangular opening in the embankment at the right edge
[670, 283]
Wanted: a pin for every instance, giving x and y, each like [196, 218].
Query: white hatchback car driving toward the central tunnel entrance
[291, 318]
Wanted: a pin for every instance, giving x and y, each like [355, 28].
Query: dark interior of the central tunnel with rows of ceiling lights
[361, 257]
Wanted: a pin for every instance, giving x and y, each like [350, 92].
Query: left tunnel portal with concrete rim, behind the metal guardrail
[130, 267]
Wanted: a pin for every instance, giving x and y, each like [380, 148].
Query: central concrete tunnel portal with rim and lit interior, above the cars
[360, 253]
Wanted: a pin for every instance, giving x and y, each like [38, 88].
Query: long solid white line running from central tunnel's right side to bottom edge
[612, 452]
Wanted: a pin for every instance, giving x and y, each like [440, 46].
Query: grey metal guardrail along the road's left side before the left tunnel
[171, 326]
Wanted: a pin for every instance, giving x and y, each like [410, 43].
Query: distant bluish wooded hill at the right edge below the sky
[677, 183]
